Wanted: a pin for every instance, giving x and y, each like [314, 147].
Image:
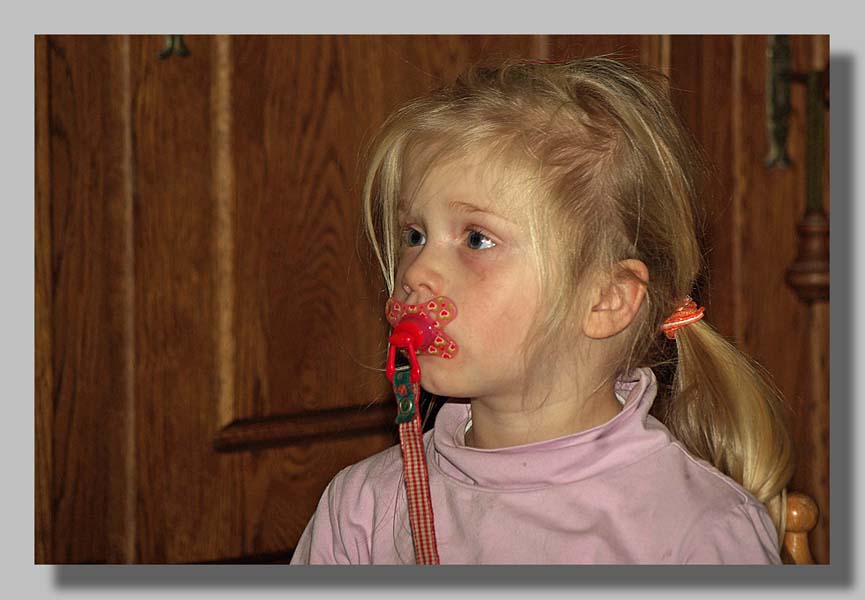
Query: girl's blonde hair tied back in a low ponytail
[600, 142]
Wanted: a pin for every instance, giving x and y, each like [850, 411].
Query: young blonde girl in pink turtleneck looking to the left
[556, 206]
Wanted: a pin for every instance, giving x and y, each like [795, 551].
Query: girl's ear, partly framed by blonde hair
[615, 301]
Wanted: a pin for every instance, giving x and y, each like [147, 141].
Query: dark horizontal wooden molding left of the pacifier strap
[288, 430]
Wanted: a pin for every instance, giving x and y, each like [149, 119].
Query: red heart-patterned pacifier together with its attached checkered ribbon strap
[417, 329]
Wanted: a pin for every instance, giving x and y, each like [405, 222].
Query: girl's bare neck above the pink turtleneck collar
[496, 427]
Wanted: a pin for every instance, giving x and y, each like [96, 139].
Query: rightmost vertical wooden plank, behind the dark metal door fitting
[774, 318]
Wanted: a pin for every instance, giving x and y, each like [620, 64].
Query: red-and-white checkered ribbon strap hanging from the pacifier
[415, 470]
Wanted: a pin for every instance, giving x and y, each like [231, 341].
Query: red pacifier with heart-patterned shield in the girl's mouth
[417, 329]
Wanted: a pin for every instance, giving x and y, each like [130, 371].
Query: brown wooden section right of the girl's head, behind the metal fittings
[718, 83]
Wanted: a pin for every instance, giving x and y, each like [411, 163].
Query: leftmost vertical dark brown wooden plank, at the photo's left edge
[86, 250]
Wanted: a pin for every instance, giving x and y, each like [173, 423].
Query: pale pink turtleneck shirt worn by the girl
[625, 492]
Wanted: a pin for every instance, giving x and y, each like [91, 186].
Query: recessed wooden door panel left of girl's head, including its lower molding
[302, 109]
